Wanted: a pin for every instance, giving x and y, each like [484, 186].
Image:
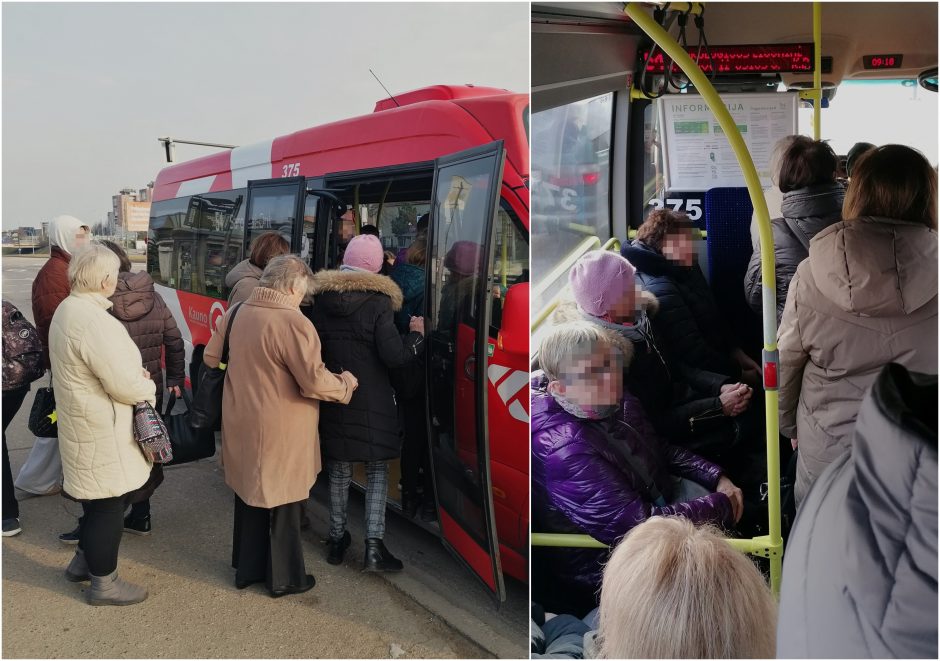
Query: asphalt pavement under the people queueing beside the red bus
[434, 609]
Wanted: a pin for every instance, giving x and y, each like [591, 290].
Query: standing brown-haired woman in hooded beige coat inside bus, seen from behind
[866, 296]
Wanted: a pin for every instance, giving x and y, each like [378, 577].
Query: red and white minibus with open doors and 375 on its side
[458, 152]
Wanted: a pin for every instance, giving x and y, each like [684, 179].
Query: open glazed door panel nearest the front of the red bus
[463, 207]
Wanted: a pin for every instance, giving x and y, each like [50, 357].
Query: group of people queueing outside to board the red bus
[308, 385]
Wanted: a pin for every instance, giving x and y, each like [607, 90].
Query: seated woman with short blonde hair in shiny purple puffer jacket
[598, 467]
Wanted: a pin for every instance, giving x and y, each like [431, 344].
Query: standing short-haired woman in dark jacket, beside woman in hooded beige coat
[812, 201]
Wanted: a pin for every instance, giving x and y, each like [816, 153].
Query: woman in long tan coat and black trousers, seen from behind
[274, 382]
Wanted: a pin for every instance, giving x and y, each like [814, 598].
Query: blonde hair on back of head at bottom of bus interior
[672, 590]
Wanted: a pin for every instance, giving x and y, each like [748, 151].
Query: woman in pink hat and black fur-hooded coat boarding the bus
[353, 312]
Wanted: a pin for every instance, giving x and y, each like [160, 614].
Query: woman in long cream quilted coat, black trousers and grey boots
[98, 378]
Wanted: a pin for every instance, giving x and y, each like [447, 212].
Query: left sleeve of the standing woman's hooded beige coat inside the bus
[793, 357]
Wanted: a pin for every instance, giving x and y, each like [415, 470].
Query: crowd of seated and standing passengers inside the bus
[648, 431]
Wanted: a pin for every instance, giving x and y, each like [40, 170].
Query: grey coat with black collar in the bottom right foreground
[860, 573]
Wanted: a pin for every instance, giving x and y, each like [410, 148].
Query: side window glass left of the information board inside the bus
[570, 183]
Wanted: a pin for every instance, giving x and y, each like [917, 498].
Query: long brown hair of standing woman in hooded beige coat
[893, 181]
